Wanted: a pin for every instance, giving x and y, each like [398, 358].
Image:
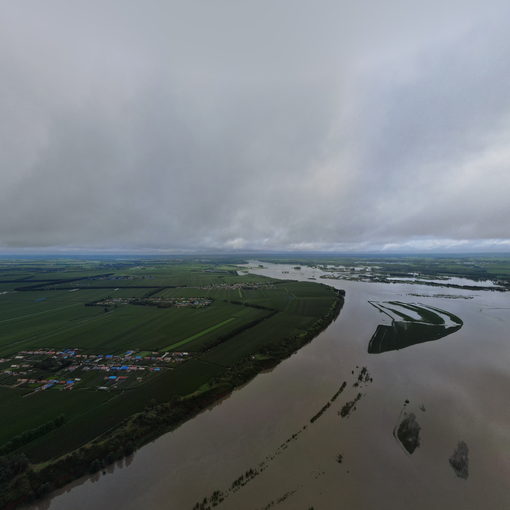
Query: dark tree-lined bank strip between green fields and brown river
[23, 482]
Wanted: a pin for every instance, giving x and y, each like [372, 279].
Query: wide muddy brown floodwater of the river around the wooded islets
[457, 388]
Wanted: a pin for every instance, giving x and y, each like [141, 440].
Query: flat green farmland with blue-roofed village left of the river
[85, 344]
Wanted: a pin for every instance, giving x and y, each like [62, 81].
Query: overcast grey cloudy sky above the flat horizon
[346, 125]
